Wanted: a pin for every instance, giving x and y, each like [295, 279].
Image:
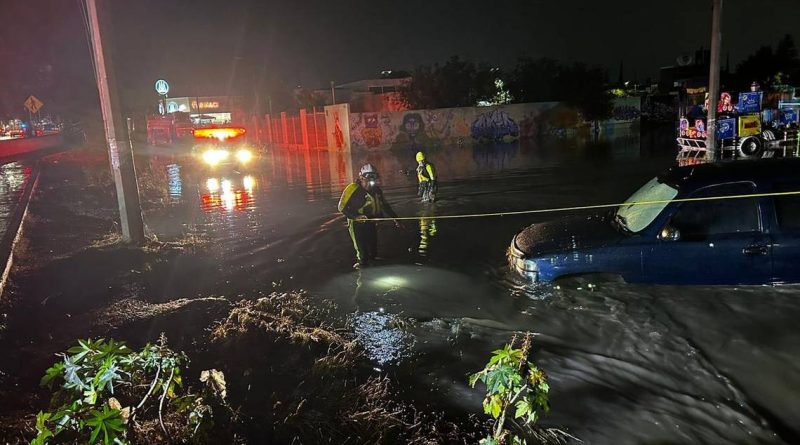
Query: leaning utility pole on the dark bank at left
[120, 152]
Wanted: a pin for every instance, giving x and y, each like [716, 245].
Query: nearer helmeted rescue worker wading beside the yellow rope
[362, 201]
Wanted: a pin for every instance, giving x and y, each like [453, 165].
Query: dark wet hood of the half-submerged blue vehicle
[568, 234]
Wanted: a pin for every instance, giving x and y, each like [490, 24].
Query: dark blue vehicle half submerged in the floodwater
[742, 240]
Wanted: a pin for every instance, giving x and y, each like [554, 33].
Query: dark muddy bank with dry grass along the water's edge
[294, 375]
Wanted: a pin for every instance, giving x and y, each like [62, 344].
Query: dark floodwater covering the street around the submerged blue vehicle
[627, 363]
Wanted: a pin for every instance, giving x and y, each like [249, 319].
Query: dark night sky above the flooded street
[213, 47]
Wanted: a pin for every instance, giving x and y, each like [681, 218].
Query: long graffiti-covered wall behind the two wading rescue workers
[427, 129]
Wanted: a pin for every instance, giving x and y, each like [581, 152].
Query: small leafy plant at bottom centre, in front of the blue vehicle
[512, 383]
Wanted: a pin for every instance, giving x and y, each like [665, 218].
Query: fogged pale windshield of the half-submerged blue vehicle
[635, 214]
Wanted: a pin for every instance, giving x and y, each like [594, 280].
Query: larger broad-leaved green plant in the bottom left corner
[102, 388]
